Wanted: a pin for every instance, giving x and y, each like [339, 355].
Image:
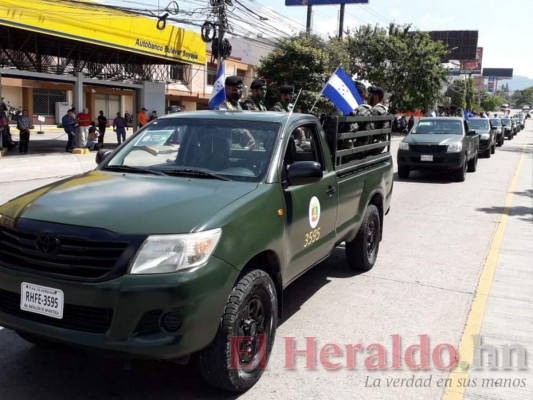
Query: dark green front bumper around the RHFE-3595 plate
[160, 316]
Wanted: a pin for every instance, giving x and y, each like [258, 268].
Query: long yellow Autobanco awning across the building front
[98, 25]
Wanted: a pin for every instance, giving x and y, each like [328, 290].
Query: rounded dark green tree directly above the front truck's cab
[305, 61]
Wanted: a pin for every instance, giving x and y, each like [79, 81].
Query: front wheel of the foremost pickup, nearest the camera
[232, 362]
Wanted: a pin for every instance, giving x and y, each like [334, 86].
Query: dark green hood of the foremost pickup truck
[128, 203]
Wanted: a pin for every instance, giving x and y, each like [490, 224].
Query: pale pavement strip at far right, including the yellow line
[499, 329]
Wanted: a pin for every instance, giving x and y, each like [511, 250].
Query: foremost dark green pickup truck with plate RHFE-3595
[179, 244]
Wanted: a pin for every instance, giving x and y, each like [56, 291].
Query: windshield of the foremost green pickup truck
[204, 149]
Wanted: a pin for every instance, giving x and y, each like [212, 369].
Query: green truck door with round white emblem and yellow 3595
[311, 210]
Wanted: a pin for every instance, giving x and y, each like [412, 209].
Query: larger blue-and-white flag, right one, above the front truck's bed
[342, 92]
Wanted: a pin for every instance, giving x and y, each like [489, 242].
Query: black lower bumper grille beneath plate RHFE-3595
[80, 318]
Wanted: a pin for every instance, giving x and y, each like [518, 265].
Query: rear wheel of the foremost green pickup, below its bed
[362, 251]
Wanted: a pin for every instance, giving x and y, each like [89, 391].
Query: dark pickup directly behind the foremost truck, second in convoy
[439, 143]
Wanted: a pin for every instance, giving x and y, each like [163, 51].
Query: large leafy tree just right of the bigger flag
[405, 63]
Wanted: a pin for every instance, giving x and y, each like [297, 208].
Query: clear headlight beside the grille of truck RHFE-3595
[161, 254]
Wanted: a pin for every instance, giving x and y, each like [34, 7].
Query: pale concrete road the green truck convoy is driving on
[436, 240]
